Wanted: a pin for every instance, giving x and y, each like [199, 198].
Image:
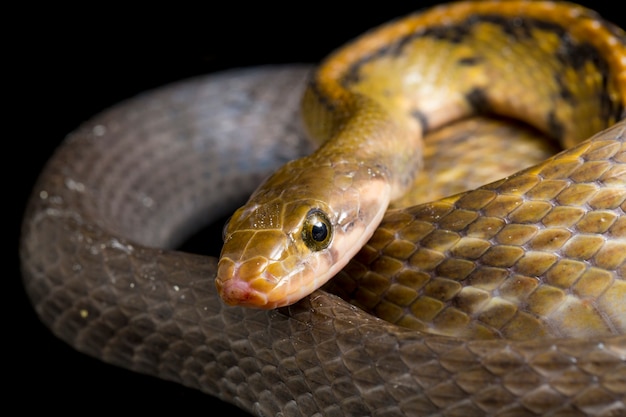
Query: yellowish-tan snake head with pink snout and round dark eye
[295, 233]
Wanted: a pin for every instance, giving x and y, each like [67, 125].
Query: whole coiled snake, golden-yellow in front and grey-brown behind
[127, 187]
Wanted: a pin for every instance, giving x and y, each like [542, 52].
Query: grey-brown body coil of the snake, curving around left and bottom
[320, 355]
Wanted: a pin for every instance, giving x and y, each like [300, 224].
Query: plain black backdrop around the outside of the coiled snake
[66, 68]
